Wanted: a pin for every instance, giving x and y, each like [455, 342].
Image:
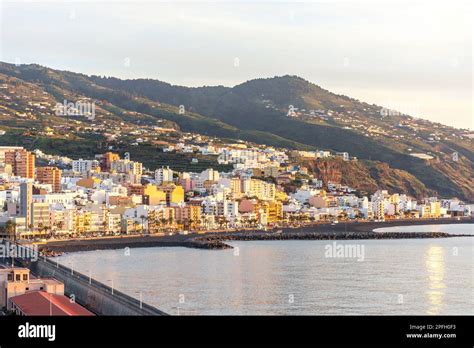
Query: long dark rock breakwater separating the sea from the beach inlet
[217, 241]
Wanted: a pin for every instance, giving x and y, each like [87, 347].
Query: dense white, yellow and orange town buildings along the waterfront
[111, 195]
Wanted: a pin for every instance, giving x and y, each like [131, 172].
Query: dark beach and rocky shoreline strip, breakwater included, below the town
[216, 240]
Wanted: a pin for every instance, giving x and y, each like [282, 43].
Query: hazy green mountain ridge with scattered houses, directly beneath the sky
[258, 110]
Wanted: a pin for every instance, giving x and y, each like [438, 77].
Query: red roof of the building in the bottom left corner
[43, 303]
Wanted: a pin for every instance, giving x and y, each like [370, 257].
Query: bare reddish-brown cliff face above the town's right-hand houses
[367, 176]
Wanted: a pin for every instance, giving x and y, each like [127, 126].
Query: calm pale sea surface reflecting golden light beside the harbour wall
[412, 276]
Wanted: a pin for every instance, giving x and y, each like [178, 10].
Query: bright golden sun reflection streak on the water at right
[435, 267]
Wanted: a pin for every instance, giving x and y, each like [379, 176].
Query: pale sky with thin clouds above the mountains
[413, 56]
